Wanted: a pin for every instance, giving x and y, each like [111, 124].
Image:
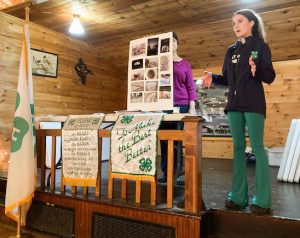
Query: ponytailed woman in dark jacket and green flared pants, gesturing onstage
[246, 66]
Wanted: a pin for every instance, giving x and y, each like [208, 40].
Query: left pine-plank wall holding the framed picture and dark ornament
[104, 91]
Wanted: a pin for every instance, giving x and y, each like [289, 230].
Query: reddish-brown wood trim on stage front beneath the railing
[185, 225]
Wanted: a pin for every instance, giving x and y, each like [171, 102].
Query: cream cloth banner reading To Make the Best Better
[134, 144]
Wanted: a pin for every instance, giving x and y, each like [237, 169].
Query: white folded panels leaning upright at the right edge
[289, 170]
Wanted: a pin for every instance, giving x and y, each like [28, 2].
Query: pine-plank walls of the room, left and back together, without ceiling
[203, 44]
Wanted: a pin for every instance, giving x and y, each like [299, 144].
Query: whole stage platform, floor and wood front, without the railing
[215, 222]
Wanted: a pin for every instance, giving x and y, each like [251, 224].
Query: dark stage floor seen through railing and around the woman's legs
[217, 175]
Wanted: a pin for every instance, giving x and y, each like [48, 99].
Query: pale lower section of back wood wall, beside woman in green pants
[283, 100]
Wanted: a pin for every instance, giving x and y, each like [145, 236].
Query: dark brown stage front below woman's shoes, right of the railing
[230, 224]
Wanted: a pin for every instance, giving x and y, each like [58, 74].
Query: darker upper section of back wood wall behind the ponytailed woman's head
[204, 43]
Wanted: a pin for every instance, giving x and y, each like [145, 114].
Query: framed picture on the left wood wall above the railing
[44, 63]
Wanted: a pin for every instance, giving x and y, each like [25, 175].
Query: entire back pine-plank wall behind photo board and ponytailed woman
[205, 44]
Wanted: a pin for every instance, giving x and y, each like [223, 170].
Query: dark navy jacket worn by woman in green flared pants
[246, 93]
